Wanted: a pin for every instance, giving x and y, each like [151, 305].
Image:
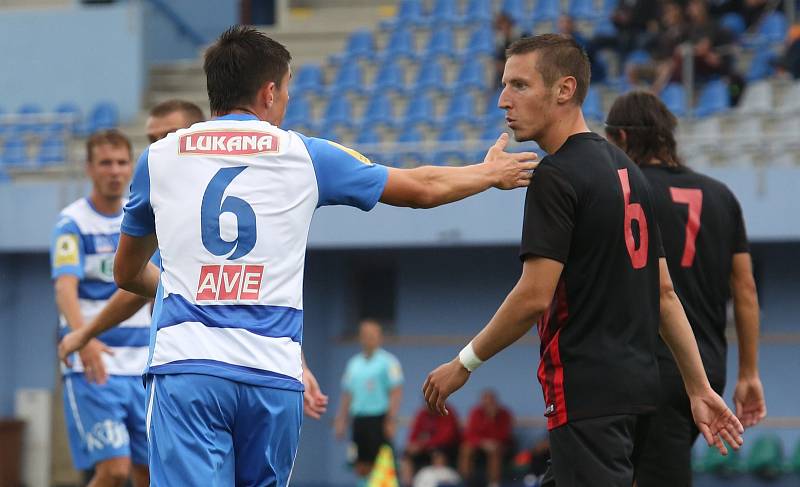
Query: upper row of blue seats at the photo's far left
[66, 118]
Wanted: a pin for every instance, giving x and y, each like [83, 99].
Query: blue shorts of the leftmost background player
[105, 421]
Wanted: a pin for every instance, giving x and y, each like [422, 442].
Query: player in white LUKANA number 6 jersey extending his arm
[229, 204]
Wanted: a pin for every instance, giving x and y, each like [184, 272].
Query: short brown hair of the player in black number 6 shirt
[560, 55]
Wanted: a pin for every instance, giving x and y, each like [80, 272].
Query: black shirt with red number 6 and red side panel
[589, 207]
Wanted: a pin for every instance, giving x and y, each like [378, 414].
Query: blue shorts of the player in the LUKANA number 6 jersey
[215, 432]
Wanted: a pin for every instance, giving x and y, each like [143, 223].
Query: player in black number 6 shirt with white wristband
[593, 279]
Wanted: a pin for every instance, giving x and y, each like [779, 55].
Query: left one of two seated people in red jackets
[430, 432]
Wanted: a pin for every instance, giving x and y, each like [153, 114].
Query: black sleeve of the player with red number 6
[549, 215]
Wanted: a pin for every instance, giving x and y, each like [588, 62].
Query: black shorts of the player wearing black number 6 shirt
[596, 452]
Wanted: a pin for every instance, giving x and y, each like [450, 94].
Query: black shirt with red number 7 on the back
[702, 228]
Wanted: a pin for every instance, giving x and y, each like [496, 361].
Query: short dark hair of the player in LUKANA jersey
[239, 64]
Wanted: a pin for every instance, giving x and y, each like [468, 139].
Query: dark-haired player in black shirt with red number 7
[706, 248]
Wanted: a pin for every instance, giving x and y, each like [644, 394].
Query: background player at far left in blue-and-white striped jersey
[103, 395]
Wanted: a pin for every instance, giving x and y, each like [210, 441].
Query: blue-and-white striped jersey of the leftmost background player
[84, 243]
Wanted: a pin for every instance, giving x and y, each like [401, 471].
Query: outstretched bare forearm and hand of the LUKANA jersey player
[431, 186]
